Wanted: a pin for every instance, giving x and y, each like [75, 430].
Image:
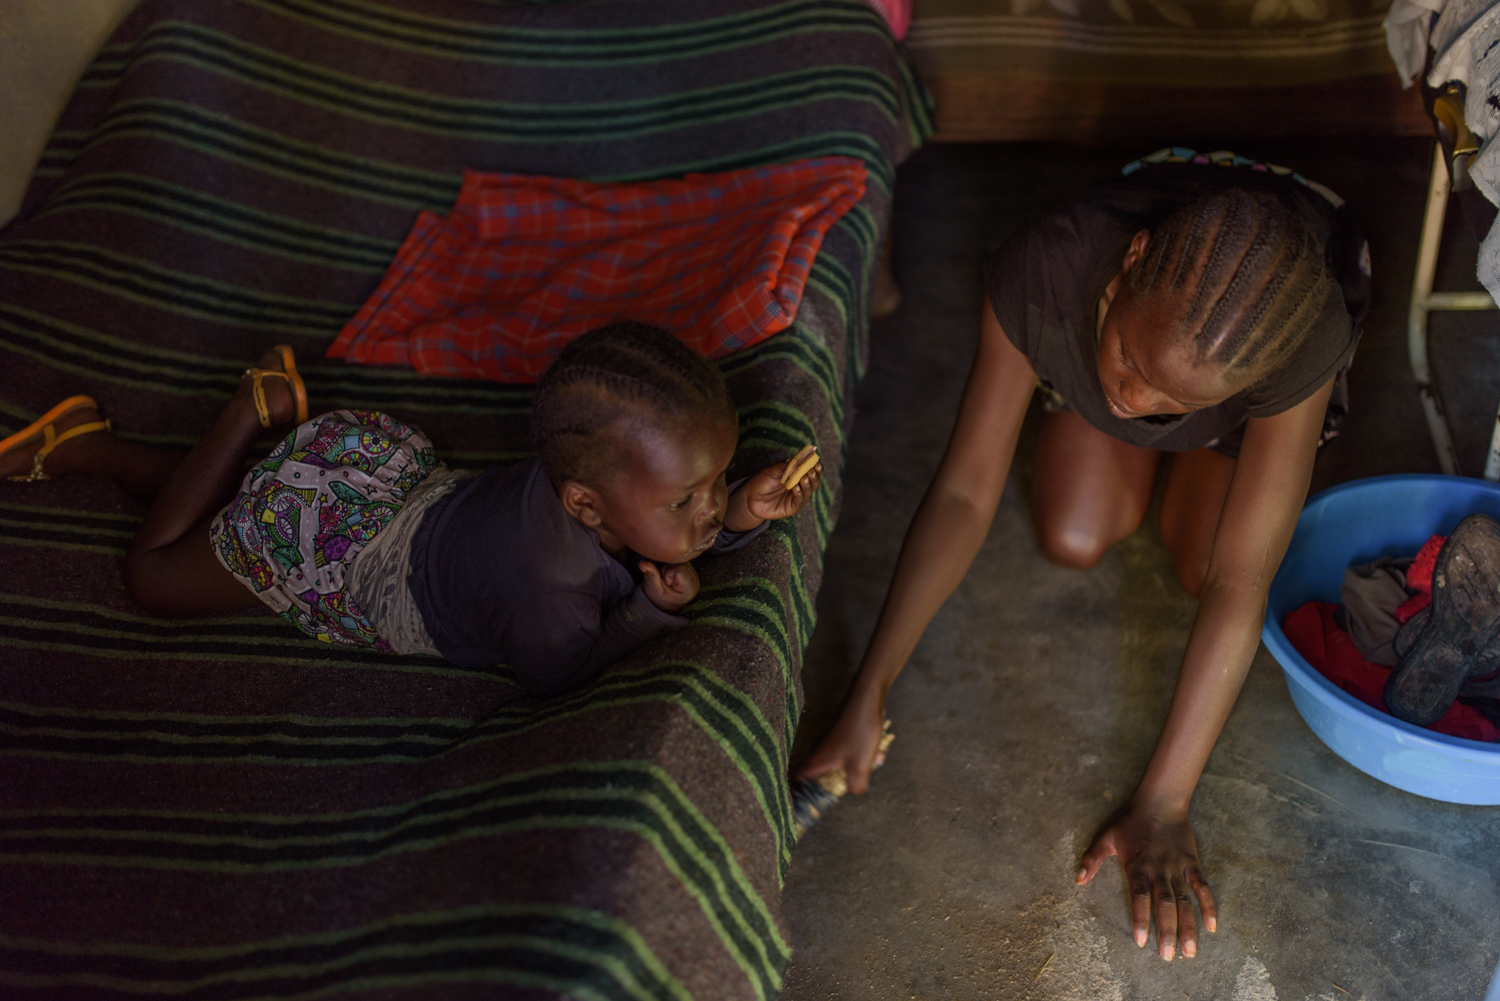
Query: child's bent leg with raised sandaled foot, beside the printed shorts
[172, 568]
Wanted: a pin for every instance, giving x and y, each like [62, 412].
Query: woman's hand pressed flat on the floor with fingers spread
[1160, 858]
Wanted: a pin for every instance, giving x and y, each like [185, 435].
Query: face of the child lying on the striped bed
[668, 499]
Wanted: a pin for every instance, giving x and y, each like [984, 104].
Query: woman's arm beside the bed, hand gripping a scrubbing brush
[946, 535]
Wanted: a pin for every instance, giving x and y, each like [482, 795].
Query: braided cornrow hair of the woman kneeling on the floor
[1250, 275]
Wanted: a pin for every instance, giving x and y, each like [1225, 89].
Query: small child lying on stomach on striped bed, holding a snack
[355, 532]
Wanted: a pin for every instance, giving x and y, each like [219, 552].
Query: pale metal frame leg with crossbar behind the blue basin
[1426, 301]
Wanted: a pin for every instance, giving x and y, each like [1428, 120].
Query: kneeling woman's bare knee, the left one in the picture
[1090, 490]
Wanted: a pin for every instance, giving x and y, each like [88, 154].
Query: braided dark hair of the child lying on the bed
[620, 379]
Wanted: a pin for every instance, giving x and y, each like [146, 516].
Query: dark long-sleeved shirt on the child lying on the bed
[502, 574]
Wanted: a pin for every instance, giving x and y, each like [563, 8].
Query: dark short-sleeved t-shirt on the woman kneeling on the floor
[1046, 283]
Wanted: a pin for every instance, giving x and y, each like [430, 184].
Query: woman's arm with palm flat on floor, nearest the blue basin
[1153, 835]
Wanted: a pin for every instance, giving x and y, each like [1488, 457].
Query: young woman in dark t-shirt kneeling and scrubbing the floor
[1207, 308]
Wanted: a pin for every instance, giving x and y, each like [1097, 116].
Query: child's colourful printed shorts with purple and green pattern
[311, 507]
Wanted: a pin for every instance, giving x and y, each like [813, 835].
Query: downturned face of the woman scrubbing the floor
[1144, 368]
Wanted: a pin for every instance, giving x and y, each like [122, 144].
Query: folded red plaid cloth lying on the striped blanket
[524, 265]
